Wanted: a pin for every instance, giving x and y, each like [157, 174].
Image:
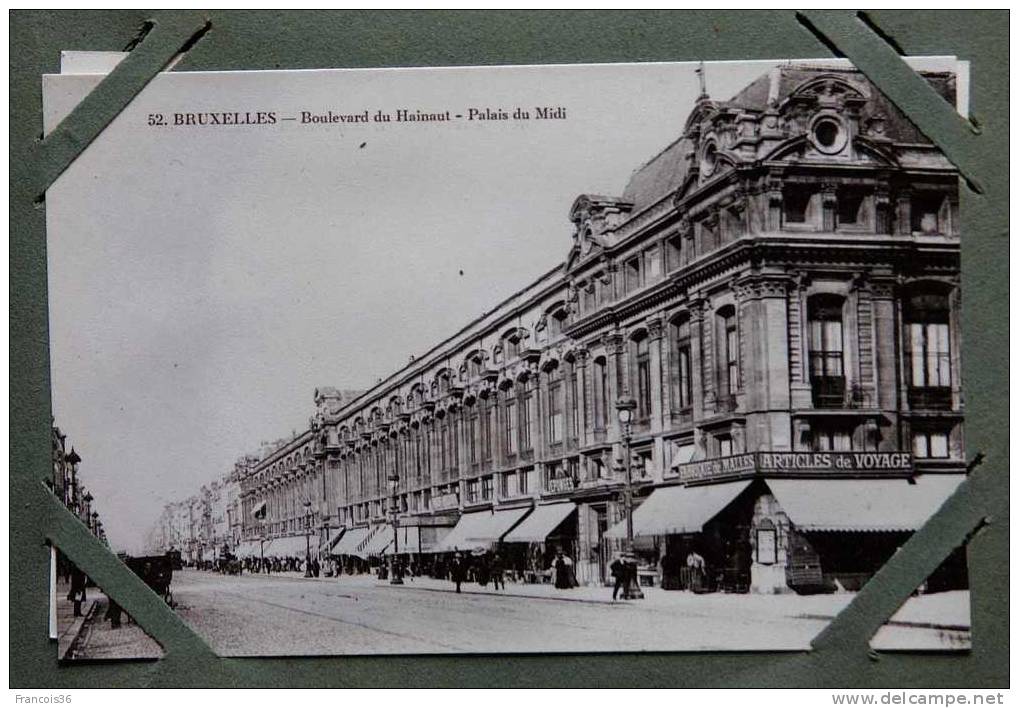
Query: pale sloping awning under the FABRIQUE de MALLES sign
[680, 510]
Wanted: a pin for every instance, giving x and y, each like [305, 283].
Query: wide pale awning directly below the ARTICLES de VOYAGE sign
[864, 505]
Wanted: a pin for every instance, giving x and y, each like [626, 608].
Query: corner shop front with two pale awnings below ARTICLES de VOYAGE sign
[774, 535]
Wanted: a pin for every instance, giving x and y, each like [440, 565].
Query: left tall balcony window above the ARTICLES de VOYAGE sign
[828, 376]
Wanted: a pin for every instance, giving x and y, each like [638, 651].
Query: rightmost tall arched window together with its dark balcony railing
[929, 350]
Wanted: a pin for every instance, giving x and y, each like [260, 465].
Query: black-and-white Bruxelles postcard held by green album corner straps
[558, 359]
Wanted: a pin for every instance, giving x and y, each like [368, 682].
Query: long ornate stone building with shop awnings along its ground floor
[778, 295]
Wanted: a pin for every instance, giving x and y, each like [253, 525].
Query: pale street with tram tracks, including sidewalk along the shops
[292, 616]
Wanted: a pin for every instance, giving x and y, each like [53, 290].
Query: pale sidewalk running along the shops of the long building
[944, 611]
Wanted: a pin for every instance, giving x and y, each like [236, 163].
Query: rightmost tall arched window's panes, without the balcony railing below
[928, 341]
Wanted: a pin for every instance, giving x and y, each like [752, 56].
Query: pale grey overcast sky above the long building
[204, 282]
